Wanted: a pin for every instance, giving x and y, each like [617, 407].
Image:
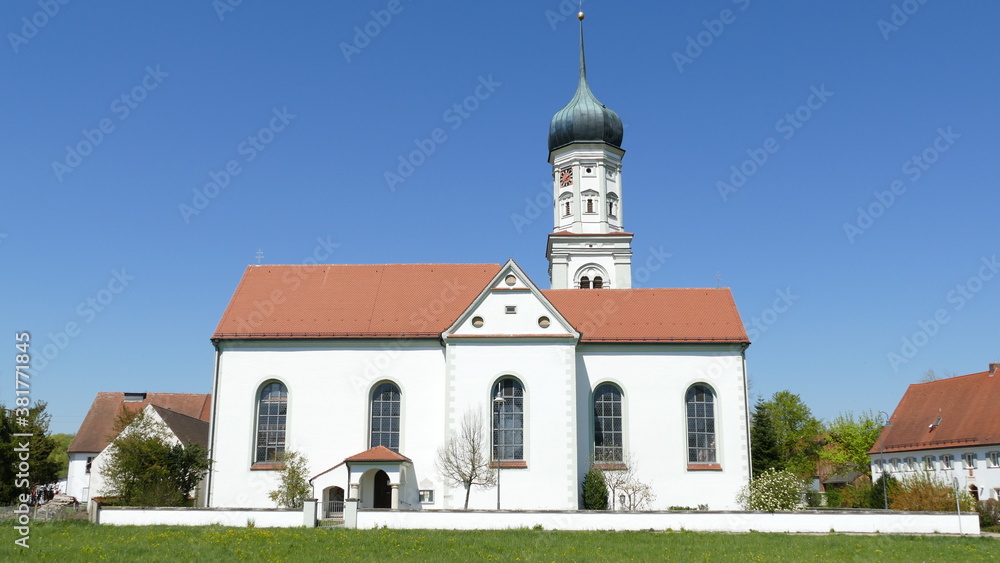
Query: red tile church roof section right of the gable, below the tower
[651, 315]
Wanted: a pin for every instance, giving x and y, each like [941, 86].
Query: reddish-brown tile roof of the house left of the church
[97, 429]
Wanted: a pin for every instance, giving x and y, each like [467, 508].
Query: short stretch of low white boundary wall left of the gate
[237, 517]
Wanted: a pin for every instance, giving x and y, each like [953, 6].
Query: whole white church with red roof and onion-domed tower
[345, 363]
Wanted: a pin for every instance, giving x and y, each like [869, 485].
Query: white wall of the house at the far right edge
[984, 475]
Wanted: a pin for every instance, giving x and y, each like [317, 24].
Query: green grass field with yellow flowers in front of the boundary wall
[82, 541]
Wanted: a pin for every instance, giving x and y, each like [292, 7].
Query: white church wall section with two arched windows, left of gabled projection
[329, 388]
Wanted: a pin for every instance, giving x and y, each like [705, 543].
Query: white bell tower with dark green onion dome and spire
[588, 247]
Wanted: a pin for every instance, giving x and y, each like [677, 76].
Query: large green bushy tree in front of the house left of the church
[147, 468]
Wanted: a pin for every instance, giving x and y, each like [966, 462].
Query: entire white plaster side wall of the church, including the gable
[329, 386]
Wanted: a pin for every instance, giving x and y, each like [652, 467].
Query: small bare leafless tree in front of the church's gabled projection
[464, 459]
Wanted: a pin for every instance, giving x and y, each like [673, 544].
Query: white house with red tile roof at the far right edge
[950, 427]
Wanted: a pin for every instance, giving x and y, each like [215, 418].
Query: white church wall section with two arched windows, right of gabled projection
[654, 380]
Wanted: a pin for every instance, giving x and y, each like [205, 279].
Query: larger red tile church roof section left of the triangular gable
[343, 301]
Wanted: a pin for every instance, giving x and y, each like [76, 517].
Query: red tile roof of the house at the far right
[967, 406]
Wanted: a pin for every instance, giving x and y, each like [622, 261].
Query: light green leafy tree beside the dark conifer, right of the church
[797, 433]
